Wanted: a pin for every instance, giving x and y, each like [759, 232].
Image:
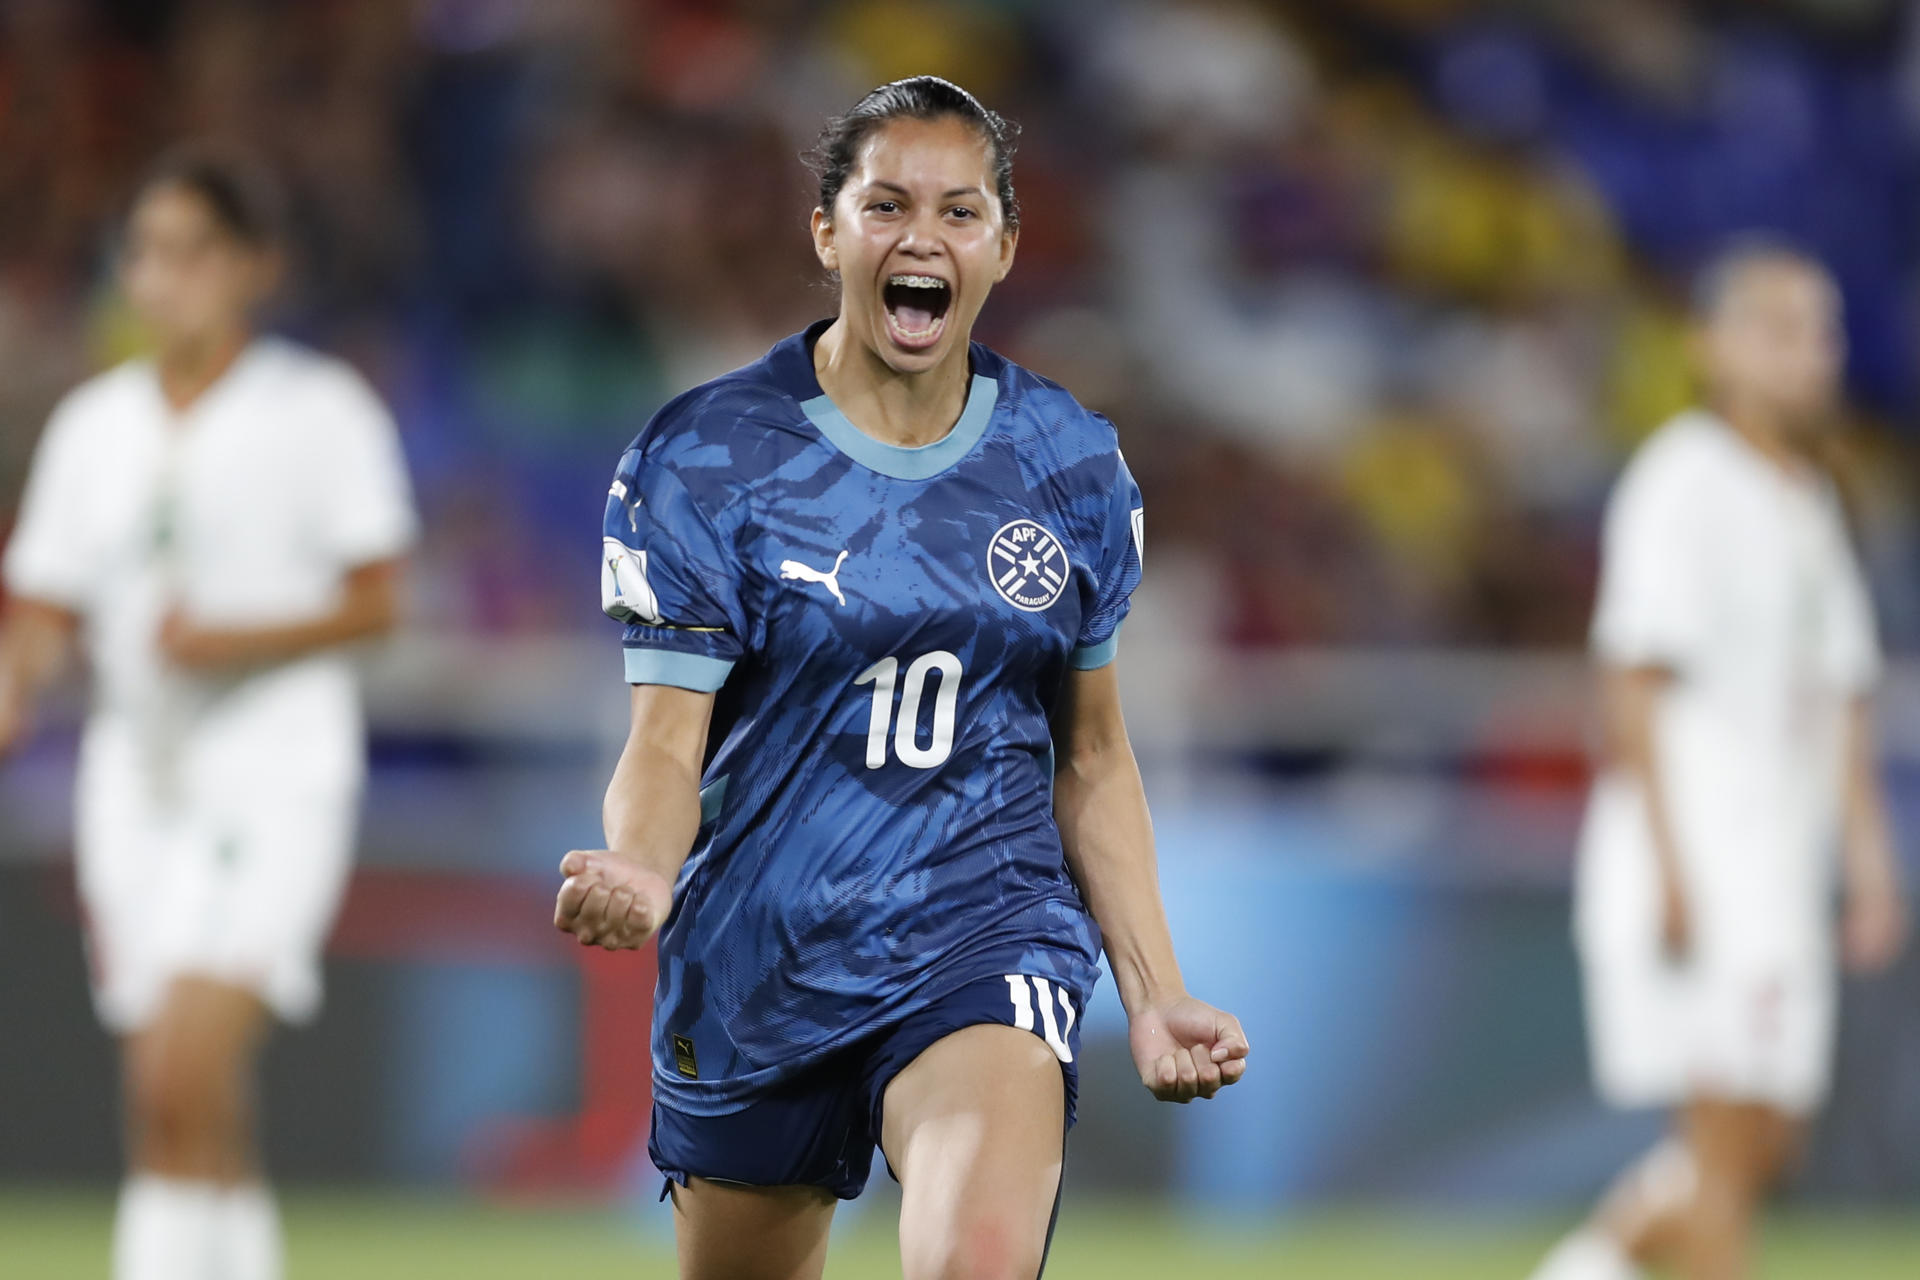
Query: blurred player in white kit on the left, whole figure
[214, 525]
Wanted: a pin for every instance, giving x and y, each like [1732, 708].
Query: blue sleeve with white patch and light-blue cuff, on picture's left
[669, 577]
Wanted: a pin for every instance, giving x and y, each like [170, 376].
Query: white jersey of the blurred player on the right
[1737, 577]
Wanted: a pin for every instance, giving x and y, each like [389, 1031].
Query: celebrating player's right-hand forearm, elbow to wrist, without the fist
[1109, 841]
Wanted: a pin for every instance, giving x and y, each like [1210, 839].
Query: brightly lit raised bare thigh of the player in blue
[974, 1127]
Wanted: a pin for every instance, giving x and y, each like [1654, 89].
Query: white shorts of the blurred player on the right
[1735, 1031]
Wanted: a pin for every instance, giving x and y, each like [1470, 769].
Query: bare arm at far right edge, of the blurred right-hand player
[1875, 928]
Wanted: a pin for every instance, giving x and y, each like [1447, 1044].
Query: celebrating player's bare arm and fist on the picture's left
[619, 897]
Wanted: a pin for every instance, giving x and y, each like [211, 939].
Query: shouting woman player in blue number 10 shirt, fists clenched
[878, 797]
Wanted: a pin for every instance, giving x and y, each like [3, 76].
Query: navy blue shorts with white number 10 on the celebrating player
[821, 1129]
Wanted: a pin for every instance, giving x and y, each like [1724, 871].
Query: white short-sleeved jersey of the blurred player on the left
[247, 510]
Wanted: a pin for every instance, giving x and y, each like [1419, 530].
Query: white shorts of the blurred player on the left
[241, 888]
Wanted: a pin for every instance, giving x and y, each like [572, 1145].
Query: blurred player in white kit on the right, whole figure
[1737, 650]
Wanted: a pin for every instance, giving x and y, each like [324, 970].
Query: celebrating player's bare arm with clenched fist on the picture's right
[1182, 1047]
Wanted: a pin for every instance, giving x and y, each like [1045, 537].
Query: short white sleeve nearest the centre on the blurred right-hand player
[1652, 600]
